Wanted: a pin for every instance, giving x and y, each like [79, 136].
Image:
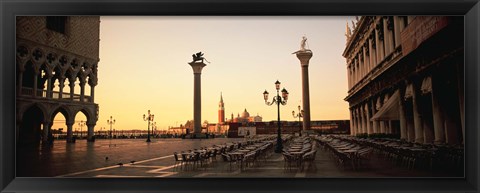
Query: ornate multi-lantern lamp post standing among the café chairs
[277, 100]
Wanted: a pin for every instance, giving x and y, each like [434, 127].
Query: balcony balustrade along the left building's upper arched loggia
[55, 95]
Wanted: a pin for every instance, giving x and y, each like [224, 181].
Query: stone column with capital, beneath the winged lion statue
[197, 96]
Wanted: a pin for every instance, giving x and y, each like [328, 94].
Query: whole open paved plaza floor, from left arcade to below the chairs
[156, 159]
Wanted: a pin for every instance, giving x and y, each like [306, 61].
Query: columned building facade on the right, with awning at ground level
[405, 77]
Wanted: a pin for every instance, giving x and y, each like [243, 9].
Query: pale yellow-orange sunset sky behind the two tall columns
[144, 66]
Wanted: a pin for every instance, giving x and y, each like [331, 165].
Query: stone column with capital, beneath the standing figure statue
[304, 57]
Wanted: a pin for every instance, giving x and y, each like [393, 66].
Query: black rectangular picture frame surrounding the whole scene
[9, 9]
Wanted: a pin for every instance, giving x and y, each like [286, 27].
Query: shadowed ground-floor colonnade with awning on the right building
[426, 114]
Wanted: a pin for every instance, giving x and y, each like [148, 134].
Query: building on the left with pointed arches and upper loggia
[57, 60]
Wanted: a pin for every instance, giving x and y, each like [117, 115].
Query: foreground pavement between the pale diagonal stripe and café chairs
[324, 167]
